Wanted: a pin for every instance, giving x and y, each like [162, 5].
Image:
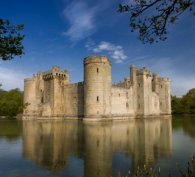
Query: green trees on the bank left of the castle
[11, 102]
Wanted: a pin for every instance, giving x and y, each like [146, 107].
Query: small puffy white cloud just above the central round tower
[115, 51]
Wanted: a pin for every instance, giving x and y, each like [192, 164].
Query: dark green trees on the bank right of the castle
[185, 104]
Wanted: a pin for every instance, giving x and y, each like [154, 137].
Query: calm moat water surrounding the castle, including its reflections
[94, 149]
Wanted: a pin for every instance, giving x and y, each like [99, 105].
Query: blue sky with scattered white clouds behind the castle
[63, 32]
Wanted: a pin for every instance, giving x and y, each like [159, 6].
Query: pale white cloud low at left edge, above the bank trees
[11, 79]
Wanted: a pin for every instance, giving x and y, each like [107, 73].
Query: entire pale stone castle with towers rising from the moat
[50, 94]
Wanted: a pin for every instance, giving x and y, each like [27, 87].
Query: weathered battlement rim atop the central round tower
[96, 59]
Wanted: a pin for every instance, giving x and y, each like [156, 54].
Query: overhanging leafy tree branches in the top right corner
[151, 17]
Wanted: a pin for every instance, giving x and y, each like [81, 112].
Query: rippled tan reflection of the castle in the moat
[50, 143]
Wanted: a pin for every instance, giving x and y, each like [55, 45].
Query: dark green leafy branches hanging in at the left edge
[10, 40]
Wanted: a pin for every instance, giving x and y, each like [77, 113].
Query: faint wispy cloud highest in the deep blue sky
[81, 19]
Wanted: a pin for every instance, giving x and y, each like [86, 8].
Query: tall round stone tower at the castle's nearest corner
[97, 87]
